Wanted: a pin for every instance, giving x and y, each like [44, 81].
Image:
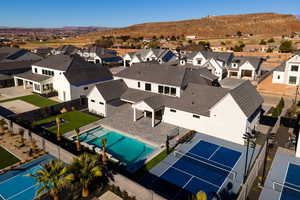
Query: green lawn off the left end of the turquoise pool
[75, 119]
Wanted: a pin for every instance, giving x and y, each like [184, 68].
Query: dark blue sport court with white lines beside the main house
[206, 166]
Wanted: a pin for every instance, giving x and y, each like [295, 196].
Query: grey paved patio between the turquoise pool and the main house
[122, 120]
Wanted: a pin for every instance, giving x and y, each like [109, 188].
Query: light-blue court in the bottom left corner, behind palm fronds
[15, 185]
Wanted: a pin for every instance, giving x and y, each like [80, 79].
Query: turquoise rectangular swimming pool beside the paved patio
[121, 147]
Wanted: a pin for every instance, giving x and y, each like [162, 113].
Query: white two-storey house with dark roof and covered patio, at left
[70, 76]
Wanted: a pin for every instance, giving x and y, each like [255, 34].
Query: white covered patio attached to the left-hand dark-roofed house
[40, 84]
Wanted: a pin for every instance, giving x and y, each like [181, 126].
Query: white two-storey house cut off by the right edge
[288, 72]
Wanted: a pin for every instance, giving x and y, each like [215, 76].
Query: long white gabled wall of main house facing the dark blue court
[226, 121]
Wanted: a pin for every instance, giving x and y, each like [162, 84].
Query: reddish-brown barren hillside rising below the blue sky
[210, 27]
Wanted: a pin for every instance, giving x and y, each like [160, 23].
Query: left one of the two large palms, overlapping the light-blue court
[52, 178]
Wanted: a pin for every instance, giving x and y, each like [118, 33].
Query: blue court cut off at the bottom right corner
[290, 189]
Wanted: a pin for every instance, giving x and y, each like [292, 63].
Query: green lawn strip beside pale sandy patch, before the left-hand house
[34, 99]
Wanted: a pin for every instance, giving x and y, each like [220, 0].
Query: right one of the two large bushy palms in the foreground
[85, 170]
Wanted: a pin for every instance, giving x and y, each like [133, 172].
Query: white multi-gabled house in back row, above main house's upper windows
[146, 55]
